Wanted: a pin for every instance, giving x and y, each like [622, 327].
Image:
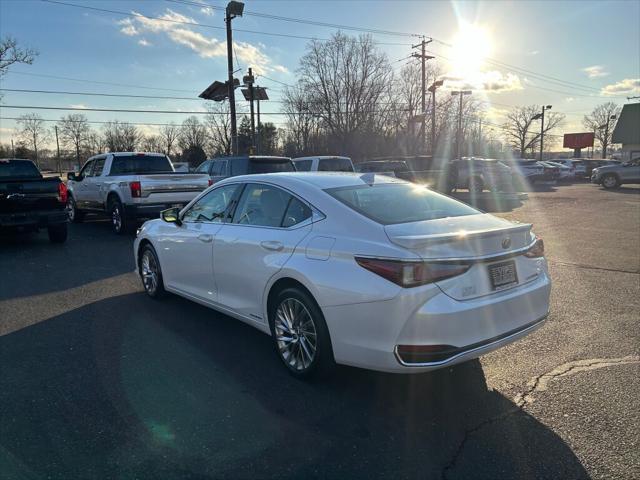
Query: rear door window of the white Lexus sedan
[262, 205]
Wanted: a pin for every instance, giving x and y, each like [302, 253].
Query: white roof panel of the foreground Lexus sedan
[319, 180]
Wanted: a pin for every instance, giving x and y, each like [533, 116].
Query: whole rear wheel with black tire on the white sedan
[300, 334]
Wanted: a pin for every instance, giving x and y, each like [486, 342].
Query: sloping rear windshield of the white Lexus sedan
[390, 204]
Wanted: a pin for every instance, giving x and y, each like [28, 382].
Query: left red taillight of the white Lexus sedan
[411, 274]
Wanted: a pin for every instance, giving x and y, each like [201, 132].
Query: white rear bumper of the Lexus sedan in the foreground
[369, 335]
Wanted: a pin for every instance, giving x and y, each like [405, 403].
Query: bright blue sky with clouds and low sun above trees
[572, 55]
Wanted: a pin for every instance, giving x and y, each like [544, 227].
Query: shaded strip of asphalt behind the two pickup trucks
[47, 267]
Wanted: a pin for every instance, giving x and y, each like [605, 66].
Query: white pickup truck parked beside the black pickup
[128, 186]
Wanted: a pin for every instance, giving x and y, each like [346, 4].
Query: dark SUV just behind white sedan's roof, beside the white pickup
[223, 167]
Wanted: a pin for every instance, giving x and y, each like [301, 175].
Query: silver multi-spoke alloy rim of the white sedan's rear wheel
[296, 334]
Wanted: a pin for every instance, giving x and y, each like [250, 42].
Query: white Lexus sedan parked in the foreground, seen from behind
[355, 269]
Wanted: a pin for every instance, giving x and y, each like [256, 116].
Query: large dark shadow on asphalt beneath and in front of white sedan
[129, 387]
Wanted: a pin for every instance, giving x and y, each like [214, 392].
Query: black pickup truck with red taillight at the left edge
[28, 201]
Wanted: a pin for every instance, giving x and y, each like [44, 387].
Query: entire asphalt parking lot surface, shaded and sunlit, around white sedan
[98, 381]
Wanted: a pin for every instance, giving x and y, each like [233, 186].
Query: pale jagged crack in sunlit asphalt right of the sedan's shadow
[540, 383]
